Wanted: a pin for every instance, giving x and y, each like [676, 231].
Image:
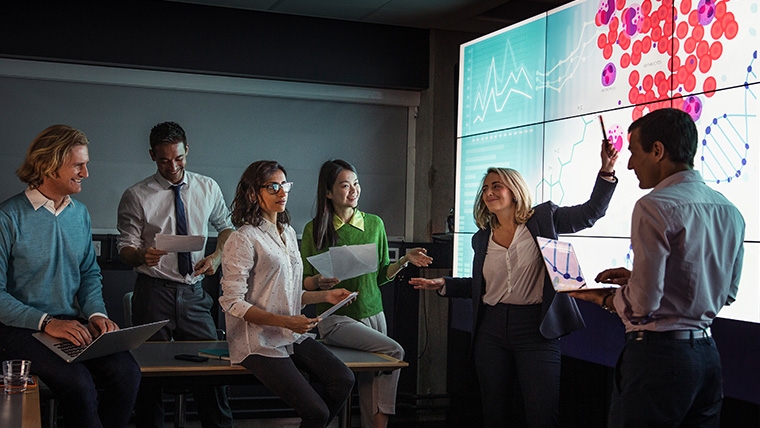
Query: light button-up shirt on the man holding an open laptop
[688, 250]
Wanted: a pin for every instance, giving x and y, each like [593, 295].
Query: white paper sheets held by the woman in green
[346, 262]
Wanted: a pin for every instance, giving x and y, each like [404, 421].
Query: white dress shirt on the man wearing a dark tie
[147, 209]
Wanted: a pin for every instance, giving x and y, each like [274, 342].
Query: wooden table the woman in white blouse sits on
[158, 364]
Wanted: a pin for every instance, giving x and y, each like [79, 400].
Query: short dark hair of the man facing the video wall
[674, 128]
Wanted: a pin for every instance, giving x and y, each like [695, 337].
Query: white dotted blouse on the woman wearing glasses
[261, 268]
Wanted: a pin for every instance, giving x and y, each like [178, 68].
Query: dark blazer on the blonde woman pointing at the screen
[559, 314]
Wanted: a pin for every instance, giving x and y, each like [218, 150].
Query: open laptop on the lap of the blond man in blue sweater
[109, 343]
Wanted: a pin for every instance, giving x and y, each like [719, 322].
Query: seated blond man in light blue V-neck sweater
[50, 281]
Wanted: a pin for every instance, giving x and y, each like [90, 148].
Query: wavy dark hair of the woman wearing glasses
[245, 206]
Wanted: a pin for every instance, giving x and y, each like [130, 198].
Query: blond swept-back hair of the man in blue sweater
[47, 153]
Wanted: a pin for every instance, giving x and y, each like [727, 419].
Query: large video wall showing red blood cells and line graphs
[531, 95]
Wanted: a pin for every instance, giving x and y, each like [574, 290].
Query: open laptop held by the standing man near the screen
[562, 265]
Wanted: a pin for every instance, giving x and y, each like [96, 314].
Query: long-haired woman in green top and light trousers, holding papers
[362, 324]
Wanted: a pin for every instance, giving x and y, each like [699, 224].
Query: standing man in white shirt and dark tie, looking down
[174, 201]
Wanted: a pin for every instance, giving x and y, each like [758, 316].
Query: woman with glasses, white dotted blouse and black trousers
[262, 300]
